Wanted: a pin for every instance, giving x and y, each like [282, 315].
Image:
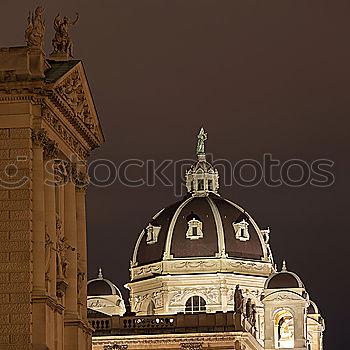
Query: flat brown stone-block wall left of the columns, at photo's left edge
[15, 238]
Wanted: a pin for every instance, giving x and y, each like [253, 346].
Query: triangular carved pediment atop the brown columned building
[72, 90]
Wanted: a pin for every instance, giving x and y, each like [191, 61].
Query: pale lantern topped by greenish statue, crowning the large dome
[202, 178]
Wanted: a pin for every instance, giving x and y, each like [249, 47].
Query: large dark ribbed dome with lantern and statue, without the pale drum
[202, 224]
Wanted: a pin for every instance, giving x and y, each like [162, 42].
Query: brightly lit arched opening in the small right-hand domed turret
[284, 330]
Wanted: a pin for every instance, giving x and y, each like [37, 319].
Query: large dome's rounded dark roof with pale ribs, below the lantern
[218, 219]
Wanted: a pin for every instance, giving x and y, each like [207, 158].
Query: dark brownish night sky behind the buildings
[261, 77]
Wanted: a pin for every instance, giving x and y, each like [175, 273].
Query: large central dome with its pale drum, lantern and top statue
[192, 254]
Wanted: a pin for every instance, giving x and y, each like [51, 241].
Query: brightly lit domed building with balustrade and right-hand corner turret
[202, 266]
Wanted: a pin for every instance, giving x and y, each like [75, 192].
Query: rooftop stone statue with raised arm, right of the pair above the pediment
[62, 43]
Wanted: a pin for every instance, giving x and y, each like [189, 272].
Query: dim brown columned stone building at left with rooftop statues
[48, 126]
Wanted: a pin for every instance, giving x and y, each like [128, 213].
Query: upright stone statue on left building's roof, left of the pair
[34, 33]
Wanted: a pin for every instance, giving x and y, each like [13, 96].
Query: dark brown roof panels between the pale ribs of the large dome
[182, 247]
